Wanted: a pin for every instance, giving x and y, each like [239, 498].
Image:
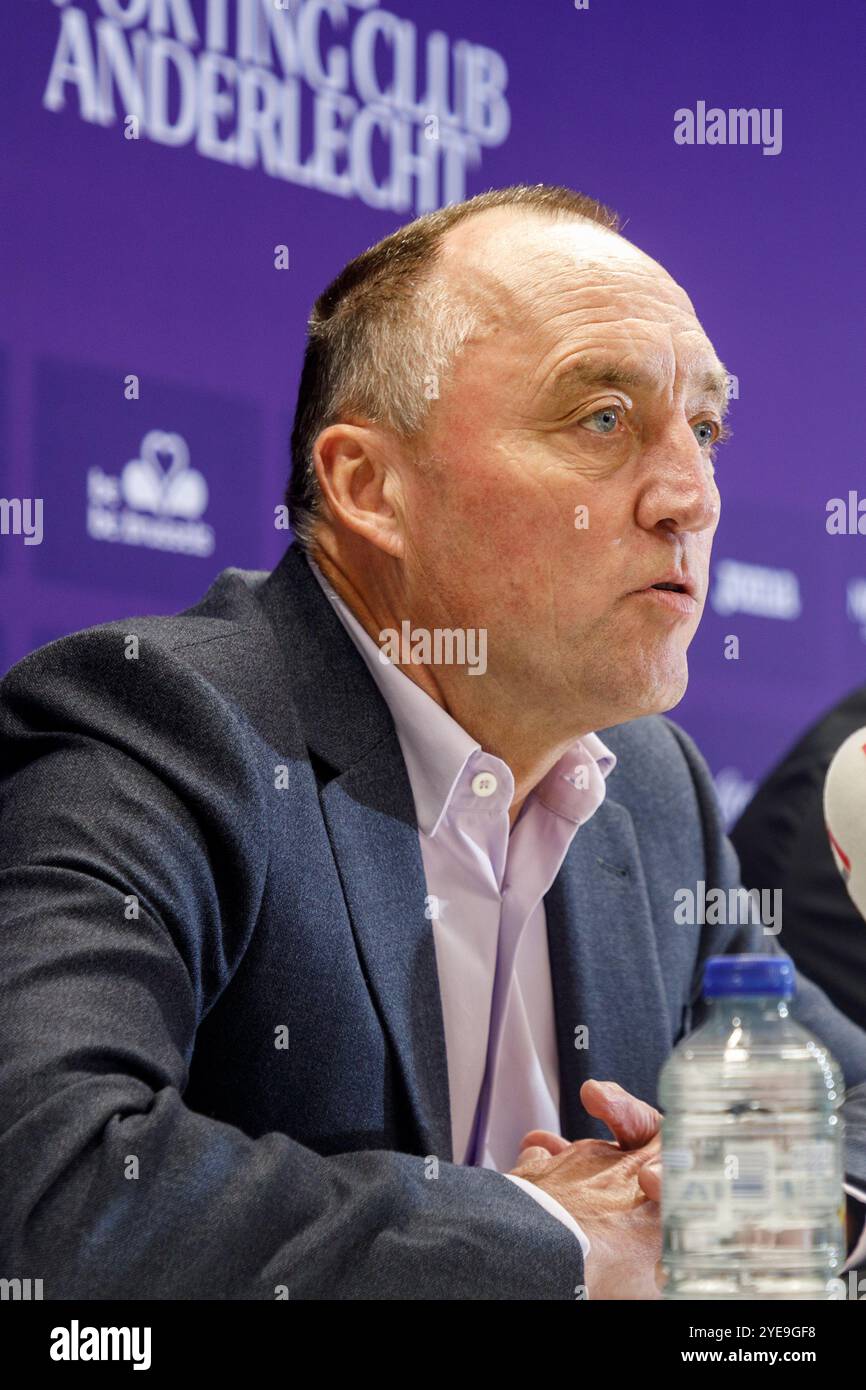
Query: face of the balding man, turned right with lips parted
[593, 387]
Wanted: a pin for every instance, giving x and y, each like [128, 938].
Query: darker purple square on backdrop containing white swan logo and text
[152, 487]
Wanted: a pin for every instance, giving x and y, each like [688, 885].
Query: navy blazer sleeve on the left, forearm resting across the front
[131, 864]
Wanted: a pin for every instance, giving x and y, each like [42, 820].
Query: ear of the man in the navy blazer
[361, 483]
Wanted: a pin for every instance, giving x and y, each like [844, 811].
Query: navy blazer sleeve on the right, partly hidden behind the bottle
[811, 1007]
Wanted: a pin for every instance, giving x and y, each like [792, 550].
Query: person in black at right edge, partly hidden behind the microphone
[782, 842]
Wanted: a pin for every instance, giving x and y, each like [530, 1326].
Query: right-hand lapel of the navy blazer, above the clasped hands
[612, 1021]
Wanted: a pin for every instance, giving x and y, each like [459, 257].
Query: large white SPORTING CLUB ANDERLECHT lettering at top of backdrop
[345, 98]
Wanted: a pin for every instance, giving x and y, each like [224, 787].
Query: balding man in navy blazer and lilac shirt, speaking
[304, 947]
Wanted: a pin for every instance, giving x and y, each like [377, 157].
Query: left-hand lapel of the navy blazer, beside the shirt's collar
[369, 812]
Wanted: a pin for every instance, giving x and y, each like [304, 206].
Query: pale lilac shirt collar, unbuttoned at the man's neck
[437, 750]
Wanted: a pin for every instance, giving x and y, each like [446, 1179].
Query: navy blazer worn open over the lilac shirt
[223, 1063]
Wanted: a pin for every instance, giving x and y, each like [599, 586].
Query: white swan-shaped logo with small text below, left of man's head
[158, 501]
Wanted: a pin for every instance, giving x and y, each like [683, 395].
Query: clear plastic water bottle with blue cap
[753, 1202]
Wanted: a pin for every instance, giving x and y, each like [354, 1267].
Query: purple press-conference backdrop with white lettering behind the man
[149, 345]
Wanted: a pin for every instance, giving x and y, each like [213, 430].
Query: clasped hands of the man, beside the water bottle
[612, 1189]
